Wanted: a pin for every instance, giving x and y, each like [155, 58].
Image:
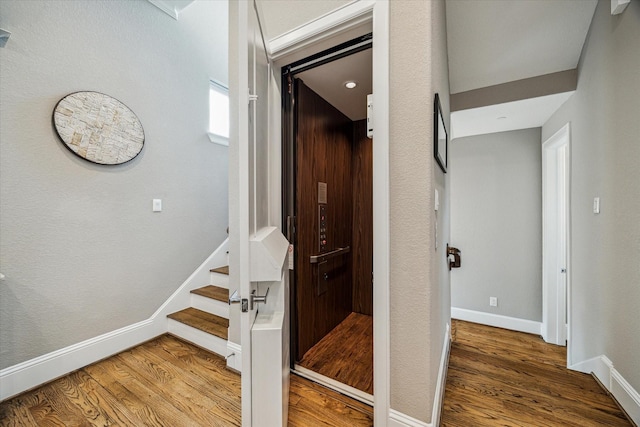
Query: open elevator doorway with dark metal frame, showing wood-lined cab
[327, 188]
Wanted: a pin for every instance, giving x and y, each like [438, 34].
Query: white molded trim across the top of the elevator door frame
[348, 16]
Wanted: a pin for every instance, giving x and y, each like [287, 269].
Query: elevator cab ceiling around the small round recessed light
[328, 81]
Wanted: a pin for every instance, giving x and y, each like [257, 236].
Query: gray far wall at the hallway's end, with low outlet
[496, 221]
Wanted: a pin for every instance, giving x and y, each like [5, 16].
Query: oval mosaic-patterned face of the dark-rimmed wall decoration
[98, 128]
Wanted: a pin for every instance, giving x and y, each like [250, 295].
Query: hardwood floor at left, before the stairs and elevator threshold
[166, 382]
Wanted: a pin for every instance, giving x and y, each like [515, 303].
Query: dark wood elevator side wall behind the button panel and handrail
[323, 154]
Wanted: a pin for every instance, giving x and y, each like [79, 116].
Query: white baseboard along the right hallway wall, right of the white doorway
[625, 394]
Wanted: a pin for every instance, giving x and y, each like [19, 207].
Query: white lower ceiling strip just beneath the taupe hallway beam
[523, 114]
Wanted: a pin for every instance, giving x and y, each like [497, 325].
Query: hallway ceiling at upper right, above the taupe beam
[494, 41]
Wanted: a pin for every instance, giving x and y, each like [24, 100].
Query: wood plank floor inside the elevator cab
[346, 353]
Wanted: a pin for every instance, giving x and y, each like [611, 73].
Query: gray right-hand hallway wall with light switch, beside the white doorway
[605, 163]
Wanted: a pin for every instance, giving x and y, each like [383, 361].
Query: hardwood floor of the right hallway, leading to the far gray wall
[498, 377]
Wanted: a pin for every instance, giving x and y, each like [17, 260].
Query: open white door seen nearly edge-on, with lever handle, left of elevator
[248, 174]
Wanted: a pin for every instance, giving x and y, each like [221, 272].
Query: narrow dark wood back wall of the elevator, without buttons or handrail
[362, 258]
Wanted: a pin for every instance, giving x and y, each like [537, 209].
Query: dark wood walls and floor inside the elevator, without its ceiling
[332, 287]
